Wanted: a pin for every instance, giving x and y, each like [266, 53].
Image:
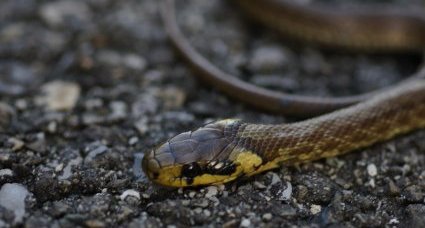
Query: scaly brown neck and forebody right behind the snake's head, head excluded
[379, 119]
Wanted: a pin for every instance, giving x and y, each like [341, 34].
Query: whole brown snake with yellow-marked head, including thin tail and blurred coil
[229, 149]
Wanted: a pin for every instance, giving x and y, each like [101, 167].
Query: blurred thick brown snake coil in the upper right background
[381, 28]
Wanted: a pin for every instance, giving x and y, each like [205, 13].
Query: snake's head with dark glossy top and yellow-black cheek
[199, 157]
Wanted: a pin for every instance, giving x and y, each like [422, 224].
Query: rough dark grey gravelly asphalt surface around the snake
[86, 87]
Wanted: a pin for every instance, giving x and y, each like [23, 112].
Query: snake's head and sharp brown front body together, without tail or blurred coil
[225, 150]
